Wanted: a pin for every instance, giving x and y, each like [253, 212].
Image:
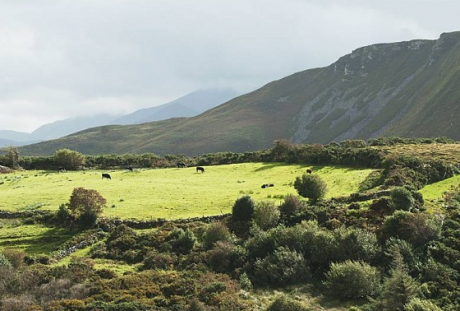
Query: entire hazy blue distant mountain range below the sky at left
[187, 106]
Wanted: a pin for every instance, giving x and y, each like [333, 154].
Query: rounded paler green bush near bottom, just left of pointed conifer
[352, 280]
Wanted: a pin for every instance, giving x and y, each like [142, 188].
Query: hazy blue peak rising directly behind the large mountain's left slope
[189, 105]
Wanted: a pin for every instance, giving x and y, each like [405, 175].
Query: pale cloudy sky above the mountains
[67, 58]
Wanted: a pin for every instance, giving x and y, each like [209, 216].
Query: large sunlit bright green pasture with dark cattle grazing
[171, 192]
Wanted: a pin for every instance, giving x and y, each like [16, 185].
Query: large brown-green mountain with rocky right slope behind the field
[407, 89]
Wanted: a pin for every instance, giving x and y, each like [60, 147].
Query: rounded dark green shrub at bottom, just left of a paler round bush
[281, 268]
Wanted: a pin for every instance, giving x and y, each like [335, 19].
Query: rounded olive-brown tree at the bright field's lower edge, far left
[86, 205]
